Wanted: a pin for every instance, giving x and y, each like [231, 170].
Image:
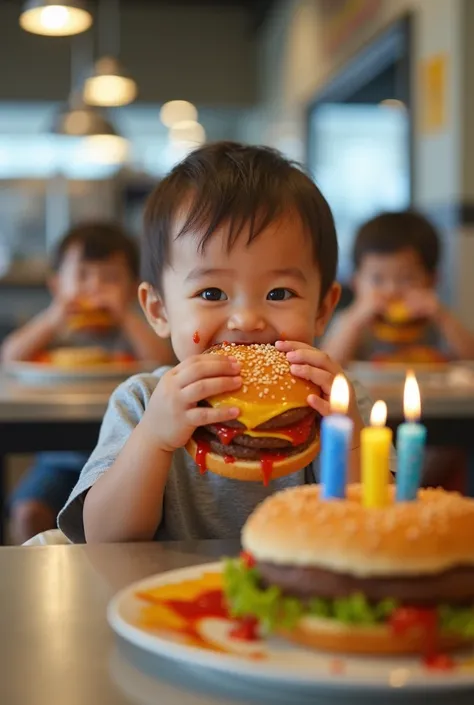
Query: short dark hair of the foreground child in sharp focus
[231, 184]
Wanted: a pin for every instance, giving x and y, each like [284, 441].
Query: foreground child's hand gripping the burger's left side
[173, 413]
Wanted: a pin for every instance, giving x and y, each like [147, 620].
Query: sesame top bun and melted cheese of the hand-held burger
[268, 387]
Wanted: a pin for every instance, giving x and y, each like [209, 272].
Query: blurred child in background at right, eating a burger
[396, 315]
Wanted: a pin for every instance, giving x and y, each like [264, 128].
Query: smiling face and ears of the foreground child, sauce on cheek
[256, 293]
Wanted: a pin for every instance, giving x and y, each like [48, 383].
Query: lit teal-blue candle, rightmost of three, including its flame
[411, 441]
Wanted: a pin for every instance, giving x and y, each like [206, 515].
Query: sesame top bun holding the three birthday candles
[296, 527]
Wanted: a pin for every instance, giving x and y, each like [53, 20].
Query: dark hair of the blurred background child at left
[98, 241]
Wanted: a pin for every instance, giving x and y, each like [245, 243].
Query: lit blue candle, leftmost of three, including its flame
[336, 435]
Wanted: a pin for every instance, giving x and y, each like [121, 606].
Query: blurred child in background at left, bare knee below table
[99, 263]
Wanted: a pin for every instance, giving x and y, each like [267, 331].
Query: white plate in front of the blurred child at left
[41, 372]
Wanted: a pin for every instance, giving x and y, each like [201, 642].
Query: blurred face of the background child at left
[93, 280]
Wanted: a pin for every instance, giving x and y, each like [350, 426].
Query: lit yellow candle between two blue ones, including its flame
[375, 458]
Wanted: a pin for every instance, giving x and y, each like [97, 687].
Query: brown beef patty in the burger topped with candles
[455, 586]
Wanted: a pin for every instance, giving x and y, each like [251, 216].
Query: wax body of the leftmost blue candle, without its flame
[336, 435]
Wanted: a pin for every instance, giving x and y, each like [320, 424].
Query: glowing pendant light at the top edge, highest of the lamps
[55, 18]
